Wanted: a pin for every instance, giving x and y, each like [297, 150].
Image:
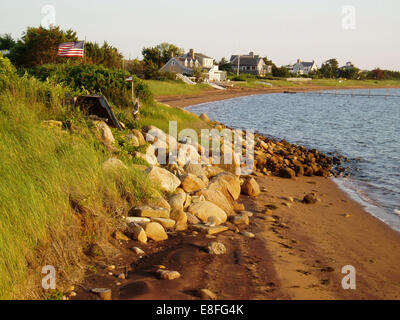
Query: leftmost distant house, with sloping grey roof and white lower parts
[188, 62]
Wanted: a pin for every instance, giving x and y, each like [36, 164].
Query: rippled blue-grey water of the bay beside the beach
[364, 128]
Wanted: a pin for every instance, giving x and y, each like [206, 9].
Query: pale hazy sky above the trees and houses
[365, 33]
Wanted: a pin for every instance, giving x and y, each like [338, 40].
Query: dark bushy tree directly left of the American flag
[39, 46]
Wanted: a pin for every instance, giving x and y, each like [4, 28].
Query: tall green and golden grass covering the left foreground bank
[55, 196]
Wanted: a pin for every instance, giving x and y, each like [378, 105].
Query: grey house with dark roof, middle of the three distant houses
[251, 63]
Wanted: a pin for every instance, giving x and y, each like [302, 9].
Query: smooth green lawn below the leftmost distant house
[172, 88]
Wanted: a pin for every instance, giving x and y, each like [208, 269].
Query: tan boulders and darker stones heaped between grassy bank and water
[202, 199]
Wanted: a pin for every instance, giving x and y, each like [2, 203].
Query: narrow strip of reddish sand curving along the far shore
[183, 101]
